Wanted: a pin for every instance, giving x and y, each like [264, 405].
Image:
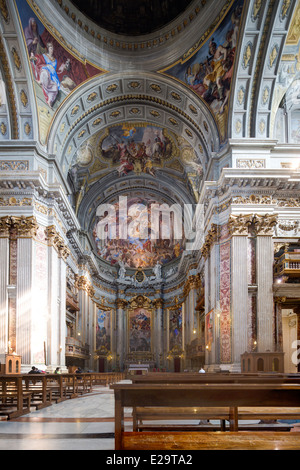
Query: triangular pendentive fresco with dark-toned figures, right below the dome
[209, 71]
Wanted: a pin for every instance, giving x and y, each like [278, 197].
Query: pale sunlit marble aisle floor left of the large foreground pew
[84, 423]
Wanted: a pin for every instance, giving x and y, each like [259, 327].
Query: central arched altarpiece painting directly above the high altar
[140, 330]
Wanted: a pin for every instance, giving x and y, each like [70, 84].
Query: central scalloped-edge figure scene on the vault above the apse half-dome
[136, 148]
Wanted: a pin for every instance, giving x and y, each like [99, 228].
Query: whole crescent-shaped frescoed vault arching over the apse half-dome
[133, 150]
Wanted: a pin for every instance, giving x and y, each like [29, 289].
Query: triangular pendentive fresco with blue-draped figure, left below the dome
[56, 71]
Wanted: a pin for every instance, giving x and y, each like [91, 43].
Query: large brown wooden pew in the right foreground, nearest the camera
[232, 396]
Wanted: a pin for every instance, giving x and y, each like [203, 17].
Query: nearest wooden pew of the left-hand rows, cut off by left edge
[14, 401]
